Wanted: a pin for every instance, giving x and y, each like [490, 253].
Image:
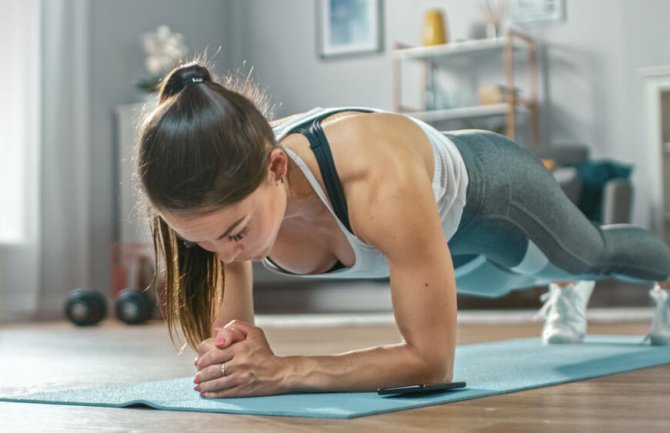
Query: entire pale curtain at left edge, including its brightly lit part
[45, 240]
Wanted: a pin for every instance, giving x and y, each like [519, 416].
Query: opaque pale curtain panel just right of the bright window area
[65, 217]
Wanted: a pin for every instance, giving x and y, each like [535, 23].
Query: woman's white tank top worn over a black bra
[450, 181]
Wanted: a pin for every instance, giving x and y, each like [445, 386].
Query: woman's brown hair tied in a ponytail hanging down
[204, 147]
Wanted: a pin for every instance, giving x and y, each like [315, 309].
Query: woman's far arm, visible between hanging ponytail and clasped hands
[237, 296]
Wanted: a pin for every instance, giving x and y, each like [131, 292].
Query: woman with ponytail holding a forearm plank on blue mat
[351, 193]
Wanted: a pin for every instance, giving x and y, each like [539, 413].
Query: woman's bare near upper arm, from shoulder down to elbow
[405, 226]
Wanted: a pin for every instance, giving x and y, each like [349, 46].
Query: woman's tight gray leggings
[519, 230]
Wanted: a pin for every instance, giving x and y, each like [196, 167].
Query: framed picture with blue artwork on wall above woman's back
[348, 27]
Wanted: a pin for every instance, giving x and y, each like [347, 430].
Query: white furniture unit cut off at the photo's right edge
[656, 83]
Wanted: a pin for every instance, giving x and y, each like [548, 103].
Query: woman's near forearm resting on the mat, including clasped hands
[243, 364]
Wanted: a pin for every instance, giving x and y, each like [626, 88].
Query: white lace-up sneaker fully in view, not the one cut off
[564, 311]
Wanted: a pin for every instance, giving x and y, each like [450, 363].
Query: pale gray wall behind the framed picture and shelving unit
[591, 95]
